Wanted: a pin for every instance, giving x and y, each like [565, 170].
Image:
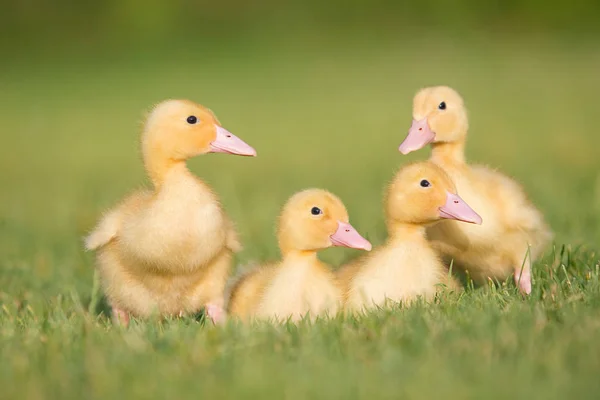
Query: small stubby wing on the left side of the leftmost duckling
[110, 224]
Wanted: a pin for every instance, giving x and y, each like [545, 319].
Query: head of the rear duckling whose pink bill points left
[439, 115]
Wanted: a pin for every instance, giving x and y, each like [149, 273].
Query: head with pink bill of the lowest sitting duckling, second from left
[315, 219]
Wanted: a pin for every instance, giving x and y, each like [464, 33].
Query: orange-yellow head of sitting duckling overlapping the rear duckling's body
[422, 193]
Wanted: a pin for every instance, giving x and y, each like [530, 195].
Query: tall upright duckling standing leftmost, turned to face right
[168, 250]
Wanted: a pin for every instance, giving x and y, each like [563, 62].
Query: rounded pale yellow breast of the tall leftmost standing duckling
[182, 229]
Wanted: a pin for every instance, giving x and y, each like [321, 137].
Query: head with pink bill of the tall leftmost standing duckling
[181, 129]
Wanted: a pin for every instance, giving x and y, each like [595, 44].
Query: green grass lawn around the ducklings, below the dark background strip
[319, 116]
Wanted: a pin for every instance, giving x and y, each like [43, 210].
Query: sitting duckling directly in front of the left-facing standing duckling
[406, 267]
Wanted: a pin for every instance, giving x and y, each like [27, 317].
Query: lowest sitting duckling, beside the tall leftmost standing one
[299, 284]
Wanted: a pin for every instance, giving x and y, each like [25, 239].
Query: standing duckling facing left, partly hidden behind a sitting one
[514, 233]
